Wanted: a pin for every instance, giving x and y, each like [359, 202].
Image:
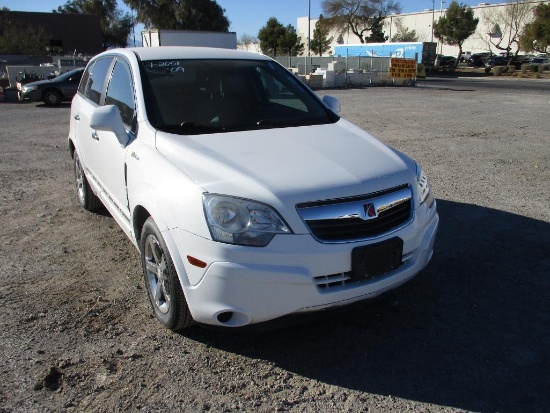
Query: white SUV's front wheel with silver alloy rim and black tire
[161, 280]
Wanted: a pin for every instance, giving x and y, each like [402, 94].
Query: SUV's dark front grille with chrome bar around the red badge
[345, 221]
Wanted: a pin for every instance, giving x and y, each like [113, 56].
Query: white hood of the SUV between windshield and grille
[286, 166]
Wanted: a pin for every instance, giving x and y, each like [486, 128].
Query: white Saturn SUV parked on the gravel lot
[247, 196]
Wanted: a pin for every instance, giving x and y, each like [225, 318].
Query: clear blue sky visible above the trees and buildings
[248, 16]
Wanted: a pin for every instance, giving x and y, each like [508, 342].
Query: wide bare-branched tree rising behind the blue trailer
[361, 17]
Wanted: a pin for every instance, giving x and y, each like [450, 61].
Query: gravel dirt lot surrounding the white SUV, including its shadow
[471, 333]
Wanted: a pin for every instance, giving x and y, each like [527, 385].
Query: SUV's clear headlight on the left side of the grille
[242, 221]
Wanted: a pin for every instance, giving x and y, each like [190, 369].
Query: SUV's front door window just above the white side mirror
[120, 92]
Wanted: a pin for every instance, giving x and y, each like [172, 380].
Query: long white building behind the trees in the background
[494, 22]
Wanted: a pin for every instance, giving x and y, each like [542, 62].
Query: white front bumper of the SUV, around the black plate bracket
[293, 274]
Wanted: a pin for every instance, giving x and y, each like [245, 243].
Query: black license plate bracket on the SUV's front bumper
[376, 259]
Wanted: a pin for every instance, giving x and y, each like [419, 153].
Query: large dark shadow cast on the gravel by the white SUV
[471, 332]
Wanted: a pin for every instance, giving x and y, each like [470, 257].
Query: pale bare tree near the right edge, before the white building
[505, 25]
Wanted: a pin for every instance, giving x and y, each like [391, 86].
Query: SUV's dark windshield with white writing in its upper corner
[211, 96]
